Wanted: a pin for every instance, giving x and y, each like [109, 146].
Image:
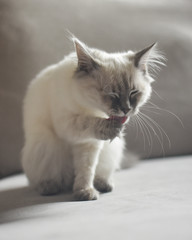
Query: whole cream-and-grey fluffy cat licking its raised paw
[74, 115]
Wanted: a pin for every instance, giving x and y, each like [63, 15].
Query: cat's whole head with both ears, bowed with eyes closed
[117, 84]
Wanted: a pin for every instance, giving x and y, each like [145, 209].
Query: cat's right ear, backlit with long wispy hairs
[143, 57]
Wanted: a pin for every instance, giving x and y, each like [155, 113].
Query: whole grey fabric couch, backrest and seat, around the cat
[155, 194]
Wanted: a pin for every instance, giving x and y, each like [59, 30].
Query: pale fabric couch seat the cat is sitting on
[151, 201]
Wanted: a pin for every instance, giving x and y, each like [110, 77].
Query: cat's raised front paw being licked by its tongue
[109, 129]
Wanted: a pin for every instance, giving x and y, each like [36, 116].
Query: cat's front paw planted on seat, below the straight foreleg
[86, 194]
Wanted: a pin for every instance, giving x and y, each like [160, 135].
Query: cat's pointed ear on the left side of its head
[86, 62]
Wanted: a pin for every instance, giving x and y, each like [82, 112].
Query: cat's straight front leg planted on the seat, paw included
[85, 156]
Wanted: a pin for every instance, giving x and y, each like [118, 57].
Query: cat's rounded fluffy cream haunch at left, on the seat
[43, 161]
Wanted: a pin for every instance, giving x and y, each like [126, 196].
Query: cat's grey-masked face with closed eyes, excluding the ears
[123, 89]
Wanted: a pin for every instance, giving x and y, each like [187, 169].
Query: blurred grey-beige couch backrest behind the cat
[33, 35]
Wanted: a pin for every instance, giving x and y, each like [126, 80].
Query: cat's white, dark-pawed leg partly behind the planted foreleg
[109, 160]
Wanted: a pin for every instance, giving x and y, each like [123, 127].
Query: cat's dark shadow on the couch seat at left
[23, 197]
